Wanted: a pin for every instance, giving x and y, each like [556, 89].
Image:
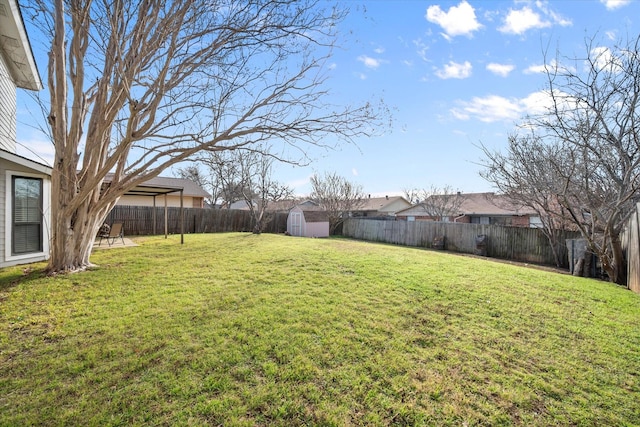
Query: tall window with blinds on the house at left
[27, 215]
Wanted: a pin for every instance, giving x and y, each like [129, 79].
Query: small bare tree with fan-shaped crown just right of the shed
[337, 196]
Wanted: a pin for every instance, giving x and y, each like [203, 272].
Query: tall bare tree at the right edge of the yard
[593, 124]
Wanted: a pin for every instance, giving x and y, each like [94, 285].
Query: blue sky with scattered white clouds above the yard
[455, 73]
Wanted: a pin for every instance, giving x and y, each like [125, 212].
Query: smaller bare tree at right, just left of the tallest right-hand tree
[530, 174]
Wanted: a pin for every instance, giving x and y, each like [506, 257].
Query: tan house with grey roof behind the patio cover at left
[153, 190]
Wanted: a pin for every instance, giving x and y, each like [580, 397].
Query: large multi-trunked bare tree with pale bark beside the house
[138, 86]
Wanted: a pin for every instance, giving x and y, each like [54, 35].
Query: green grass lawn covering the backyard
[238, 329]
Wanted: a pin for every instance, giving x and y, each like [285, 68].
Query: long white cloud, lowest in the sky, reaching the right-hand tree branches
[495, 108]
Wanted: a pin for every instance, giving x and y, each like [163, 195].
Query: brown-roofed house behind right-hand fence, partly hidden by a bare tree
[479, 208]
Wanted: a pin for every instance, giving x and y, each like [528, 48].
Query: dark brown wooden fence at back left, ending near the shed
[139, 220]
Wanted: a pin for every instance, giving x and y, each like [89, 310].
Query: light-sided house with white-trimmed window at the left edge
[25, 185]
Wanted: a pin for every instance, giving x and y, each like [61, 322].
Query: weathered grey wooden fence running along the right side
[511, 243]
